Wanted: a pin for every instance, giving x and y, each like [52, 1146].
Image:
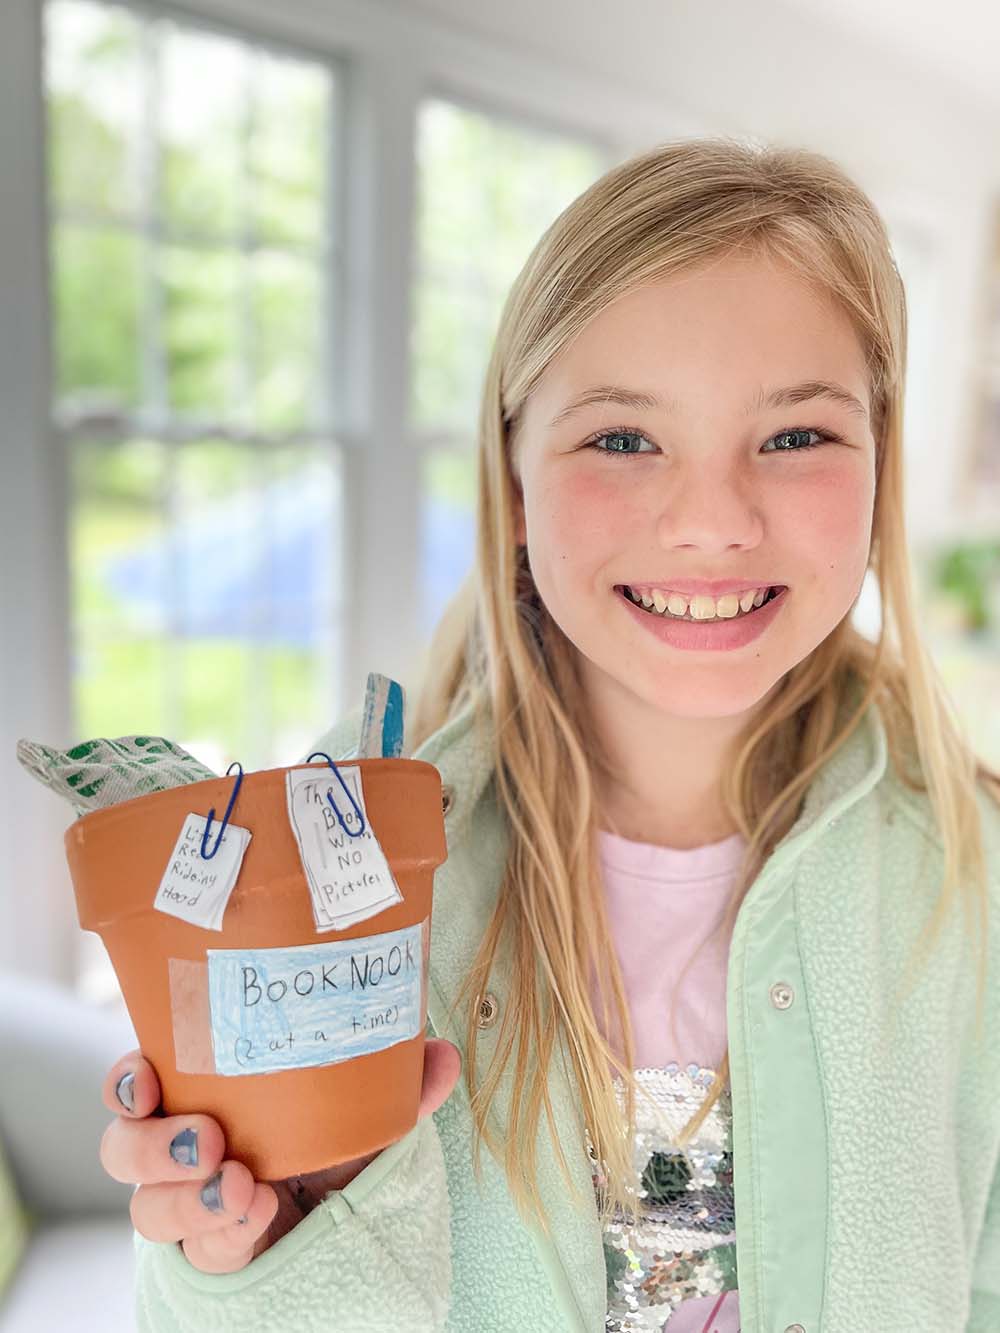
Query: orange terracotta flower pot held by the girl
[338, 1106]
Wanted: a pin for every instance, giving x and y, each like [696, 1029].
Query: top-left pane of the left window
[95, 107]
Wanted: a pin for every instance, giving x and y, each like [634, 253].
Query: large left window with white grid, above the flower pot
[194, 278]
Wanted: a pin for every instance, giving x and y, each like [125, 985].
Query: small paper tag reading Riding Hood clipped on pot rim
[198, 890]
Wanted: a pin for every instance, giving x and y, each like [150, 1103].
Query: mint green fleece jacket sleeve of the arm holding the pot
[371, 1258]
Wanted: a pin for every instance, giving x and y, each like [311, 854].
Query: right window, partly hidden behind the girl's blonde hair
[487, 190]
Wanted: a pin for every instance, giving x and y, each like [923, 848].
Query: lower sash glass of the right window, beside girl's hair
[447, 529]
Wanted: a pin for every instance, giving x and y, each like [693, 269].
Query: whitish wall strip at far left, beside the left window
[34, 654]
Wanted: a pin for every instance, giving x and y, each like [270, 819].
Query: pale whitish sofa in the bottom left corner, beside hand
[55, 1051]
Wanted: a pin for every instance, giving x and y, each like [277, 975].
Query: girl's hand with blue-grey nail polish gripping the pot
[221, 1215]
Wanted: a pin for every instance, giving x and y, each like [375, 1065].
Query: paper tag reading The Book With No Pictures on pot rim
[350, 879]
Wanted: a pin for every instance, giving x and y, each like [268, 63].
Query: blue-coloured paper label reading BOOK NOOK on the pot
[315, 1004]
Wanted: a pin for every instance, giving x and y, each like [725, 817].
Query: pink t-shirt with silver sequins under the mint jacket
[663, 906]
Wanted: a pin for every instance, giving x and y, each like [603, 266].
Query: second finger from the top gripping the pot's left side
[158, 1151]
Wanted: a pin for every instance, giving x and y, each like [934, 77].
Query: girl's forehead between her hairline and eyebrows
[711, 337]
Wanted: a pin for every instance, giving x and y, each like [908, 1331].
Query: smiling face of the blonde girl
[709, 485]
